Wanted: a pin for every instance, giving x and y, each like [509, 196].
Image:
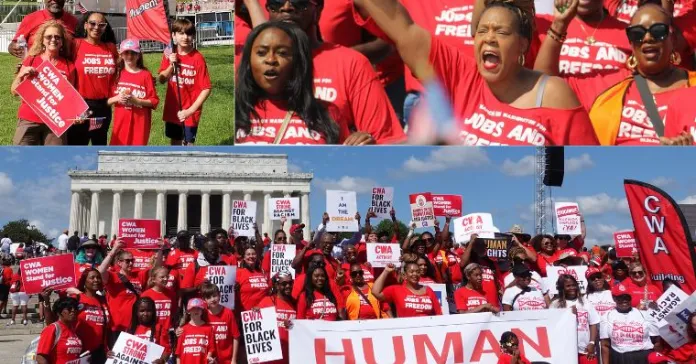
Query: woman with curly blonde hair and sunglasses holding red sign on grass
[54, 46]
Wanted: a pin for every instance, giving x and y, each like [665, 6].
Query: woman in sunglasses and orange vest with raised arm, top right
[617, 110]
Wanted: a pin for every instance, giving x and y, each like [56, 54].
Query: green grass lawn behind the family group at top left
[218, 111]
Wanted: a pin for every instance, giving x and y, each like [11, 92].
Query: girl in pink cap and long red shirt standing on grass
[134, 97]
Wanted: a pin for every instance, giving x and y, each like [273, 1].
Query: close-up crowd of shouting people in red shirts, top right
[559, 72]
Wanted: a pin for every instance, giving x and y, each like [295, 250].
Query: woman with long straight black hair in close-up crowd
[274, 94]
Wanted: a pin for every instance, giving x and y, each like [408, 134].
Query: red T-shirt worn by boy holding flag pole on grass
[194, 79]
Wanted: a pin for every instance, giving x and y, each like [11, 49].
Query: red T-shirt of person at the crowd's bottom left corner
[68, 346]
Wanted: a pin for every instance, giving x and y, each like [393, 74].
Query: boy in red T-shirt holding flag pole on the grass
[184, 101]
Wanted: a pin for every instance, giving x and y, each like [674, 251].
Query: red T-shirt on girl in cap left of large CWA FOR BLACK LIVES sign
[195, 343]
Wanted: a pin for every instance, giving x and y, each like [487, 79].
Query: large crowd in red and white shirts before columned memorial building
[163, 295]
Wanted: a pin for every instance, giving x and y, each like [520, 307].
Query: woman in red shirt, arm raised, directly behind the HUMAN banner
[422, 301]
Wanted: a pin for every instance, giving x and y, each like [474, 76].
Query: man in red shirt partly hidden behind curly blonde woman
[53, 11]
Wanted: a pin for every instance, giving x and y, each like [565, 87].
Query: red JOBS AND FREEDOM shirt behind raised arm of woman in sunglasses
[610, 50]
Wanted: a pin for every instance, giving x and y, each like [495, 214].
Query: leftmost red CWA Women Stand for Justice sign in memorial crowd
[57, 272]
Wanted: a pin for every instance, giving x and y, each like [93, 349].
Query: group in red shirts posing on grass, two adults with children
[106, 76]
